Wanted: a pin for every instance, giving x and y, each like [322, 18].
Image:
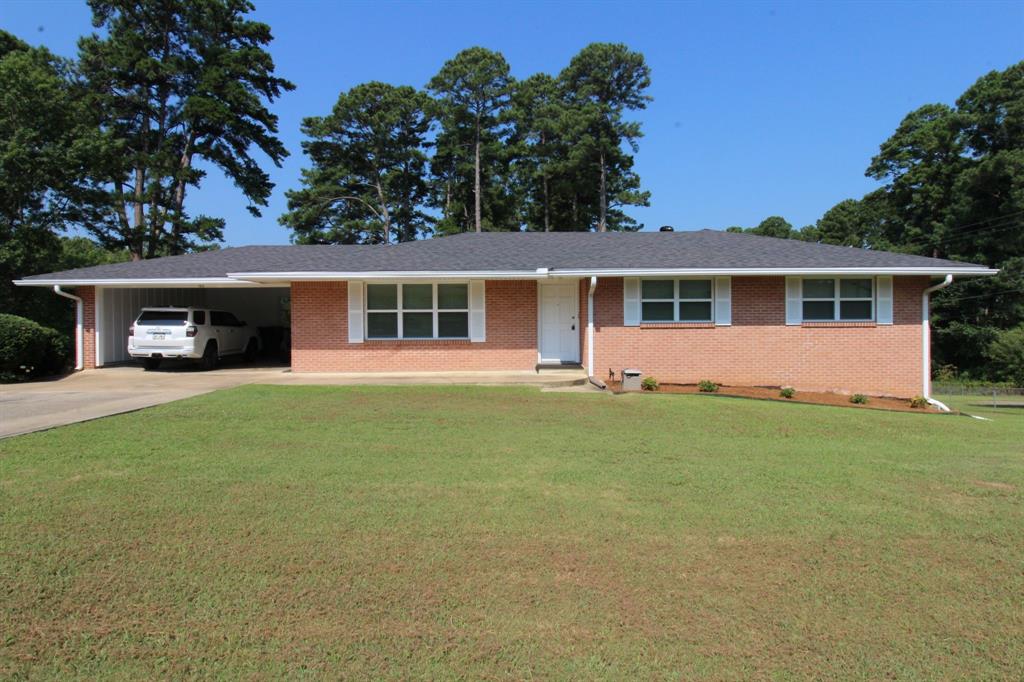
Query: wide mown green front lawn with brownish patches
[465, 533]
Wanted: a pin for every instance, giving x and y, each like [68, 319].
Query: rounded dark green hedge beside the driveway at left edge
[29, 351]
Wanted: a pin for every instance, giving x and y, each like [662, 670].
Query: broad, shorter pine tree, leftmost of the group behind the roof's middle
[368, 178]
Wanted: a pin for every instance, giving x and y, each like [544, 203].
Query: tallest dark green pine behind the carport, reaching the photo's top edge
[175, 83]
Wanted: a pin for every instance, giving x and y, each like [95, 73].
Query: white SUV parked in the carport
[196, 333]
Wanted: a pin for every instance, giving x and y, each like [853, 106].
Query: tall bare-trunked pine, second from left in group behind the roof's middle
[473, 93]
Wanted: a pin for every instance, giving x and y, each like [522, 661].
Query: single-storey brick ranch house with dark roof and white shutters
[736, 309]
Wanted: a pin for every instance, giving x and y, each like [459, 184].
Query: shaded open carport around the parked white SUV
[263, 307]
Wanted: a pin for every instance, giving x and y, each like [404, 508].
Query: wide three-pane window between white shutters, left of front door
[417, 312]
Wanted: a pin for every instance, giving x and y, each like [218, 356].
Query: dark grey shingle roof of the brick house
[520, 252]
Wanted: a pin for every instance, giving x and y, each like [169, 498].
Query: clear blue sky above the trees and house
[760, 109]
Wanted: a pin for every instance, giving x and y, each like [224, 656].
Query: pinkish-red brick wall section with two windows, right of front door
[759, 350]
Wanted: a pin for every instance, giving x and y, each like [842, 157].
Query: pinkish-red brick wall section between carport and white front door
[320, 335]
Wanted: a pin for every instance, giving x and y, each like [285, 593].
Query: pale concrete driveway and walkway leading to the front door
[95, 394]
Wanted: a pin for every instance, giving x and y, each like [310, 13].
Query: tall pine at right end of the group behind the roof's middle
[604, 82]
